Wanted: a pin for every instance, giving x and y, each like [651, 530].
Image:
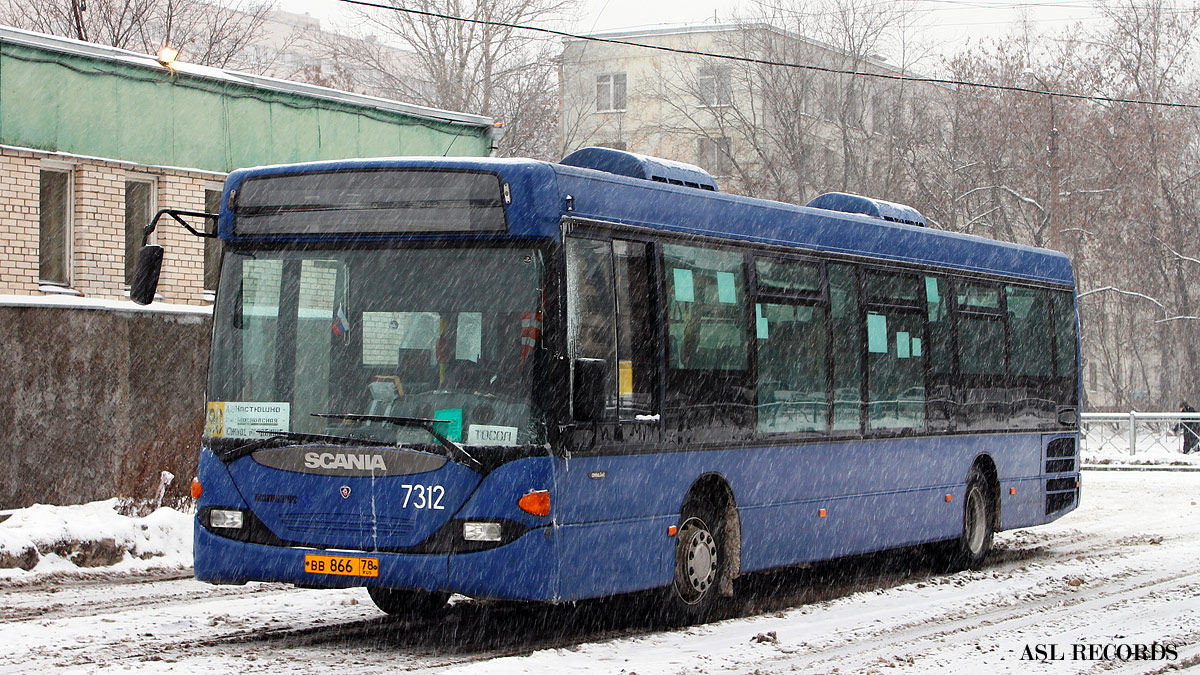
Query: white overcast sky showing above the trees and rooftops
[951, 23]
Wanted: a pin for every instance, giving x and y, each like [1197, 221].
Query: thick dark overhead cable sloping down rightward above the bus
[897, 77]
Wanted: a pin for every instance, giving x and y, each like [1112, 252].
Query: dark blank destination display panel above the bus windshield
[370, 202]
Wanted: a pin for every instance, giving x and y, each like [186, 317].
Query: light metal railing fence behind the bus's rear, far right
[1133, 433]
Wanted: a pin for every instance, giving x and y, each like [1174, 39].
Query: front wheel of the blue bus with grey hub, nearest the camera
[700, 563]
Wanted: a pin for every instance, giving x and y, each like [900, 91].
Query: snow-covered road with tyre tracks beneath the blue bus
[1120, 572]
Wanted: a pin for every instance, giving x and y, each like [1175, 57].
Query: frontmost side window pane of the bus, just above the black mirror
[591, 331]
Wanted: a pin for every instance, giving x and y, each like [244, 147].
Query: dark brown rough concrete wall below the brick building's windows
[94, 395]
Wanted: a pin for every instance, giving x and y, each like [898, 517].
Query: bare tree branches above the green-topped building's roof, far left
[207, 34]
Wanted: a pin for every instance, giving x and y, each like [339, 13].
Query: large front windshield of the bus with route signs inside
[304, 334]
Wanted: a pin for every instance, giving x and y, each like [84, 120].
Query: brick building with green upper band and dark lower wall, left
[93, 142]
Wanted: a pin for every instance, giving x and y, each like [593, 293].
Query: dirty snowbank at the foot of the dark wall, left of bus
[56, 540]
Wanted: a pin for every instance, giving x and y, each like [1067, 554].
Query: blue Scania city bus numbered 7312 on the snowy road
[511, 379]
